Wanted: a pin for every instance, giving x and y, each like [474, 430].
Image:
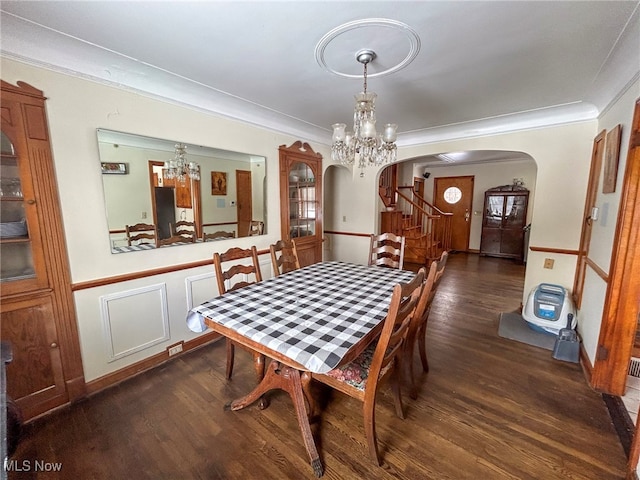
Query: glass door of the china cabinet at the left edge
[16, 248]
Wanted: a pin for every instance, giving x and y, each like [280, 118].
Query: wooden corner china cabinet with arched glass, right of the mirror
[301, 200]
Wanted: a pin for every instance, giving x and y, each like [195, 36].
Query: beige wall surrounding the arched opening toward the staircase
[561, 155]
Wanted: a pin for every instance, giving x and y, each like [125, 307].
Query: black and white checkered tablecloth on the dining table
[313, 315]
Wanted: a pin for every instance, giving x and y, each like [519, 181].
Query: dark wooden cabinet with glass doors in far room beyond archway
[503, 221]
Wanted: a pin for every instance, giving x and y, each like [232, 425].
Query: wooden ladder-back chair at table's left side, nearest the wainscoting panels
[223, 277]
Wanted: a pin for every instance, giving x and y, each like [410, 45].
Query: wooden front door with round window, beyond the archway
[455, 195]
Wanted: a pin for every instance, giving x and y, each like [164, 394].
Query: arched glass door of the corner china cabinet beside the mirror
[302, 200]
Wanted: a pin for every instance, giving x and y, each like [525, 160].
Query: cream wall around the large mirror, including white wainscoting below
[114, 330]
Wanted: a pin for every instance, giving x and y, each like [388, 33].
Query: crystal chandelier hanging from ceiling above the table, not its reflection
[364, 142]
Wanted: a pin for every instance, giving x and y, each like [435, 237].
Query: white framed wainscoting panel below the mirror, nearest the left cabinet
[134, 320]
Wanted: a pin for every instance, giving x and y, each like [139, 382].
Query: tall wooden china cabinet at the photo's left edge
[36, 304]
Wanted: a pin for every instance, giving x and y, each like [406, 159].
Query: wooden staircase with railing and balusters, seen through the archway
[427, 230]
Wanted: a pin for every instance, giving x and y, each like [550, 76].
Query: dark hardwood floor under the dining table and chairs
[489, 408]
